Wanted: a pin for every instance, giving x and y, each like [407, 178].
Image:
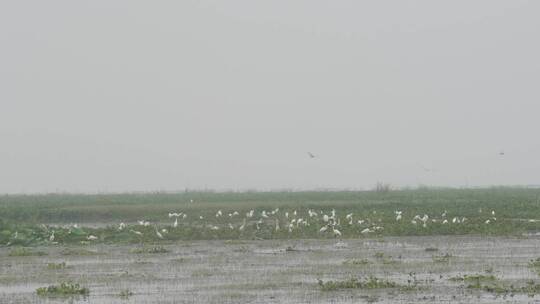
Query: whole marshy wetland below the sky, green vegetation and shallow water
[311, 247]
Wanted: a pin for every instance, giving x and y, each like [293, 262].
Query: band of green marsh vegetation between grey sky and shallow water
[29, 219]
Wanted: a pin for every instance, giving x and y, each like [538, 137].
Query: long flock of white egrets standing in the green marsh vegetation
[303, 222]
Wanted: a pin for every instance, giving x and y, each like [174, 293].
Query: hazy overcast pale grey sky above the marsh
[148, 95]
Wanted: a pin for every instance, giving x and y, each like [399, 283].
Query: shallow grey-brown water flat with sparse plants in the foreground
[423, 269]
